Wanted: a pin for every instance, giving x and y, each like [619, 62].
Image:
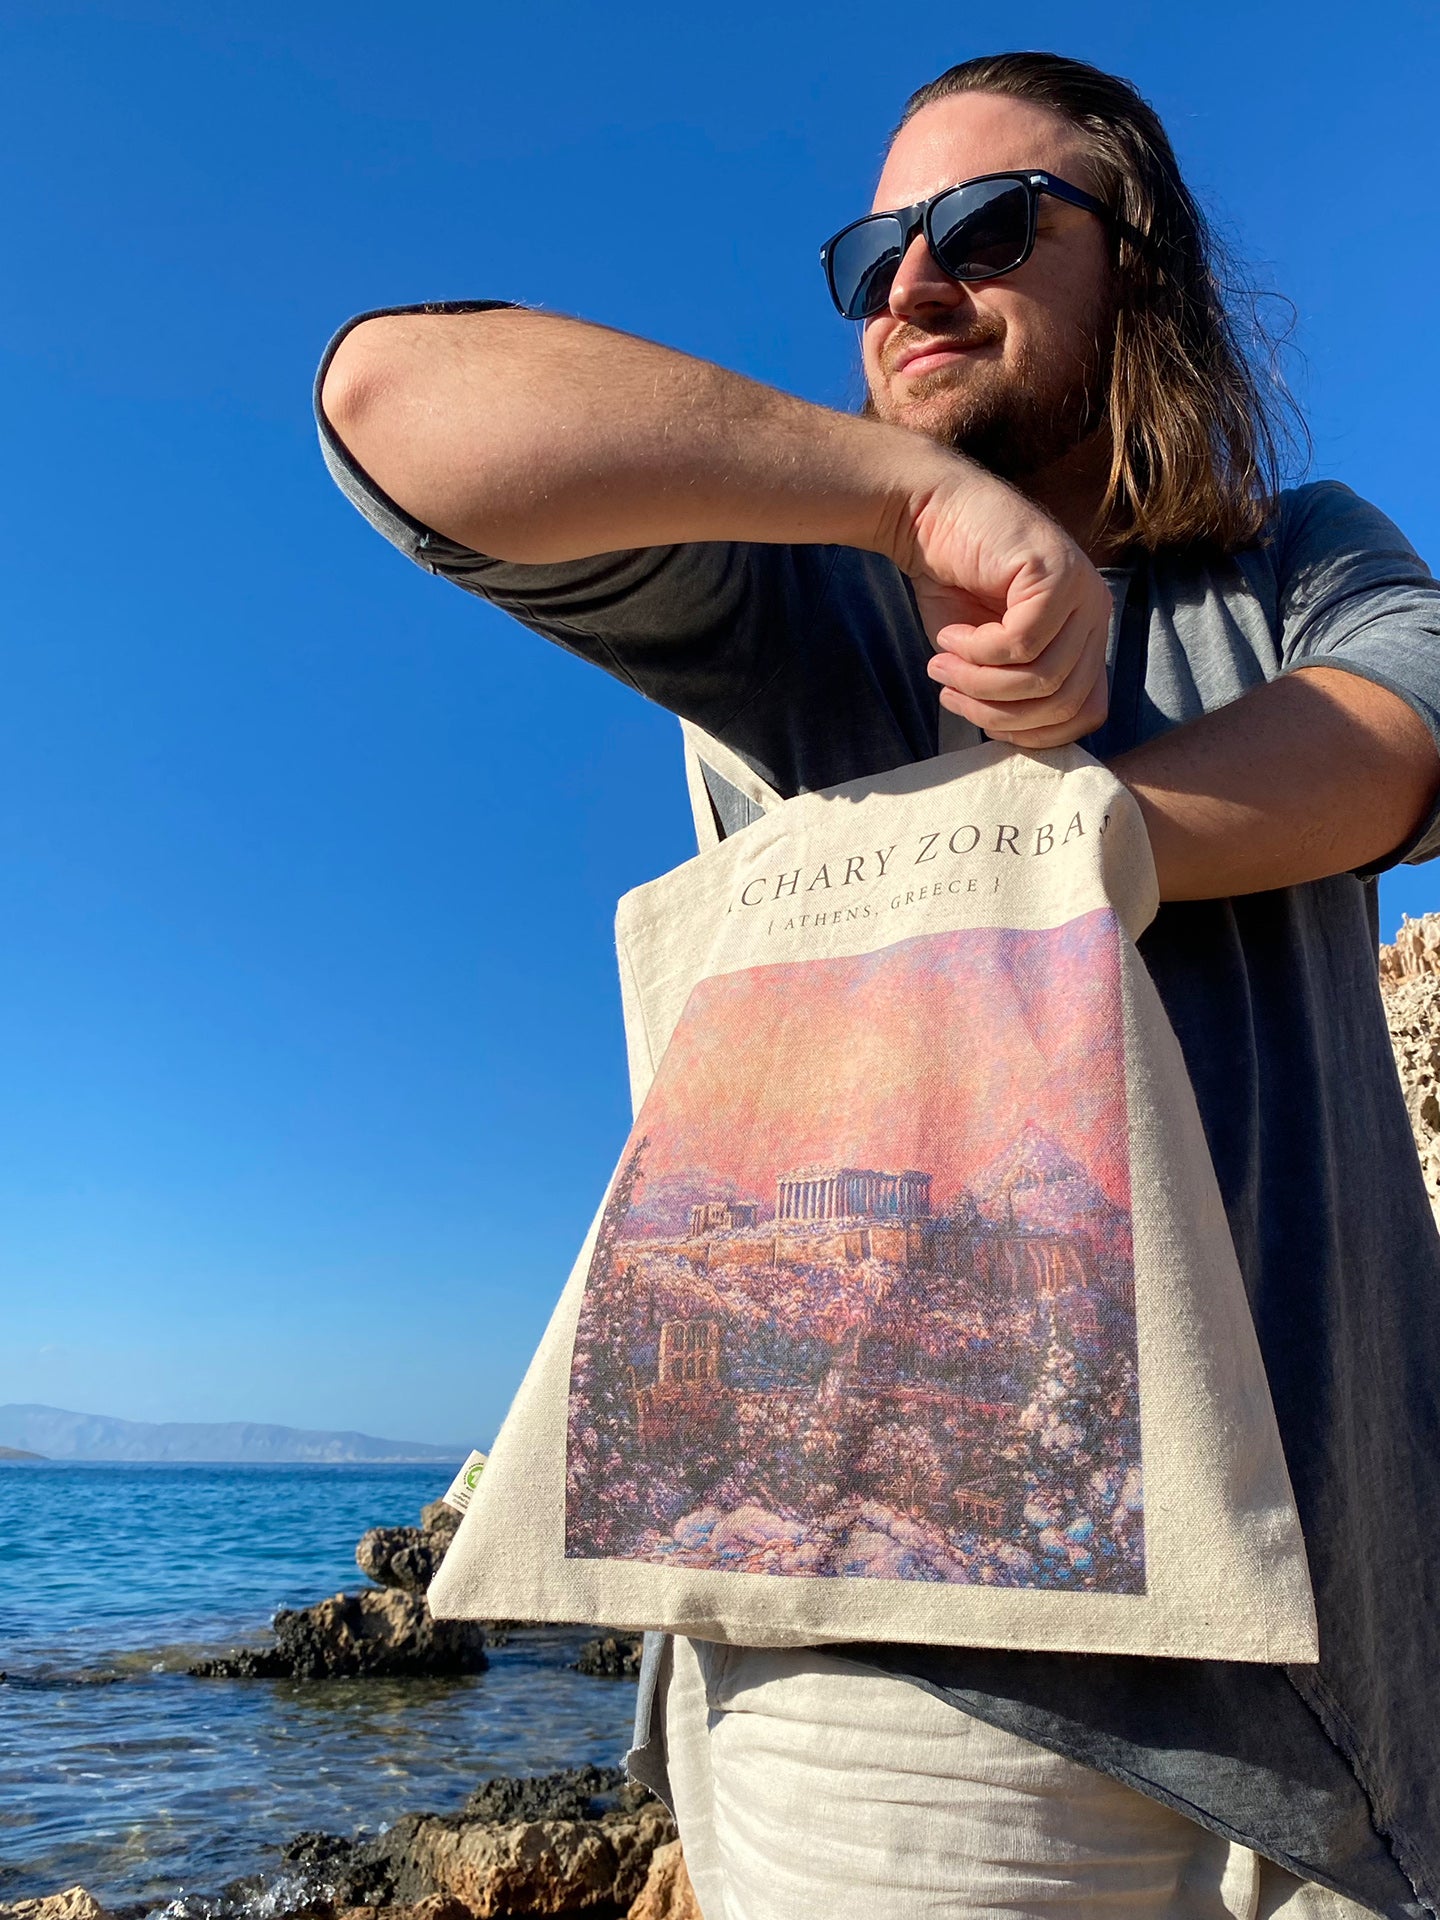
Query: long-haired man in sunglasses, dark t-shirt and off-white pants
[1057, 523]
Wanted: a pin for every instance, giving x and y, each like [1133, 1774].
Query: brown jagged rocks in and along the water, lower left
[583, 1842]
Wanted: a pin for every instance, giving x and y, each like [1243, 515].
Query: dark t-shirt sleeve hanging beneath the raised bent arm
[698, 627]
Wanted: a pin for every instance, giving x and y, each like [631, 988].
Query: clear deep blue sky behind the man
[293, 1122]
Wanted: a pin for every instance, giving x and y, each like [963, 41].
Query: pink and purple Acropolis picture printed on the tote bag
[863, 1299]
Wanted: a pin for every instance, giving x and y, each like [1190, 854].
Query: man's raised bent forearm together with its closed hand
[539, 439]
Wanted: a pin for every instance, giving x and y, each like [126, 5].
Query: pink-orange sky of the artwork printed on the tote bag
[928, 1055]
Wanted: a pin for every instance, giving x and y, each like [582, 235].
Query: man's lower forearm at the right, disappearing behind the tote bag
[1314, 775]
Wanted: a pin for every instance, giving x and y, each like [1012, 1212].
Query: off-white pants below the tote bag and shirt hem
[809, 1788]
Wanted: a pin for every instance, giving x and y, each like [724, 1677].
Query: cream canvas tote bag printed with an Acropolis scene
[911, 1312]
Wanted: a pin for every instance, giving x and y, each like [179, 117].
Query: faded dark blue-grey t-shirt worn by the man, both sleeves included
[811, 665]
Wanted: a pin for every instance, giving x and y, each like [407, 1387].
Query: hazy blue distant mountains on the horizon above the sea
[60, 1435]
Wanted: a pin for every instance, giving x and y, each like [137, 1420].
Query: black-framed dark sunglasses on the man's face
[974, 231]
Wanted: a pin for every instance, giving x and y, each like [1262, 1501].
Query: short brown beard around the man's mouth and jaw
[1017, 421]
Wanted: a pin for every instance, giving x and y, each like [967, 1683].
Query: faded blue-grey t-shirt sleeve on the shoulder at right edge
[1356, 596]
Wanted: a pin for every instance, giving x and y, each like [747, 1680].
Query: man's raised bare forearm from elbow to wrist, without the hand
[531, 437]
